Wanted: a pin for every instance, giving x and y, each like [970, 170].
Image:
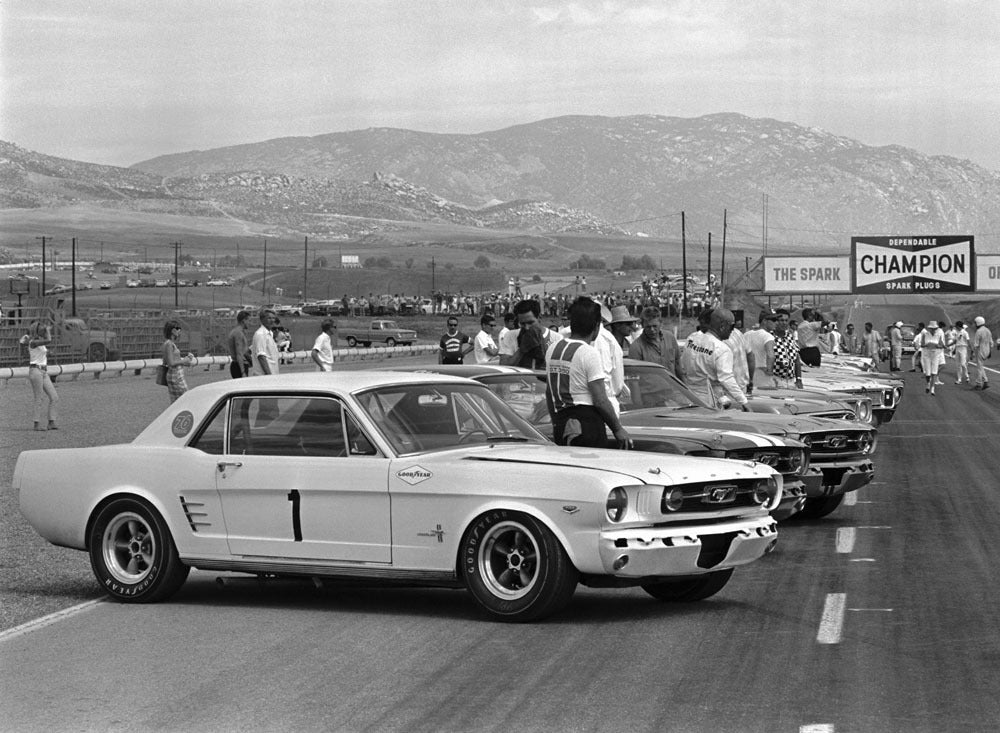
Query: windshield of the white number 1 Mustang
[423, 417]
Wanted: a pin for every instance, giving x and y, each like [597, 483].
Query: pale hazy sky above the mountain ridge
[121, 81]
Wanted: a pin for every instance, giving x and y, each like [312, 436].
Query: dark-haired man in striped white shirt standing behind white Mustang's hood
[575, 394]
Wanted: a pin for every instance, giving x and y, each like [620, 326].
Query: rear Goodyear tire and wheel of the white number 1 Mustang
[132, 553]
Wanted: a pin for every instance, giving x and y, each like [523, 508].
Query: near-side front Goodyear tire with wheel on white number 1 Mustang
[515, 567]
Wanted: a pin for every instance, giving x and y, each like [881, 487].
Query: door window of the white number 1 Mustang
[287, 426]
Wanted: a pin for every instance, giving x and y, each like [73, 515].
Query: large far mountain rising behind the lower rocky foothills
[639, 171]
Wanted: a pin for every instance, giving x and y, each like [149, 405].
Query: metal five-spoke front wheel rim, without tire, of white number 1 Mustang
[508, 560]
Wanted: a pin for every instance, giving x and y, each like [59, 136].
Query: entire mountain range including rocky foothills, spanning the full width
[600, 175]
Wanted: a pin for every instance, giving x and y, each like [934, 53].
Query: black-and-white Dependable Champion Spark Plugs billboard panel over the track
[917, 264]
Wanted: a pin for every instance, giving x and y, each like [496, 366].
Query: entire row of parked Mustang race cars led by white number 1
[446, 476]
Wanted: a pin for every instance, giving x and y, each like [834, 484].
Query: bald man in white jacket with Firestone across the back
[708, 362]
